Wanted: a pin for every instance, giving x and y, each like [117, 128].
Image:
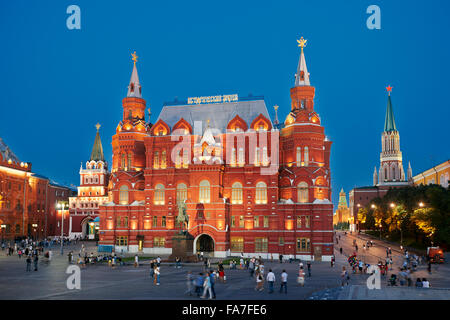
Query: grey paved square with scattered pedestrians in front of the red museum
[99, 281]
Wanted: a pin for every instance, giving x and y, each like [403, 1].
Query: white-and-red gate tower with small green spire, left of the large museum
[92, 193]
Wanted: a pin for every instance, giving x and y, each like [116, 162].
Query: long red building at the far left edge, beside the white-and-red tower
[27, 200]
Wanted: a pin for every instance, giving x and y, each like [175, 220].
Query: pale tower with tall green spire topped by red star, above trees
[391, 162]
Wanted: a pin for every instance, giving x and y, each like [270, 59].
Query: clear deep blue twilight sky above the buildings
[56, 84]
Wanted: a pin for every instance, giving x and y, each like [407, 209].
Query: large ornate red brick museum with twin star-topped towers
[249, 184]
